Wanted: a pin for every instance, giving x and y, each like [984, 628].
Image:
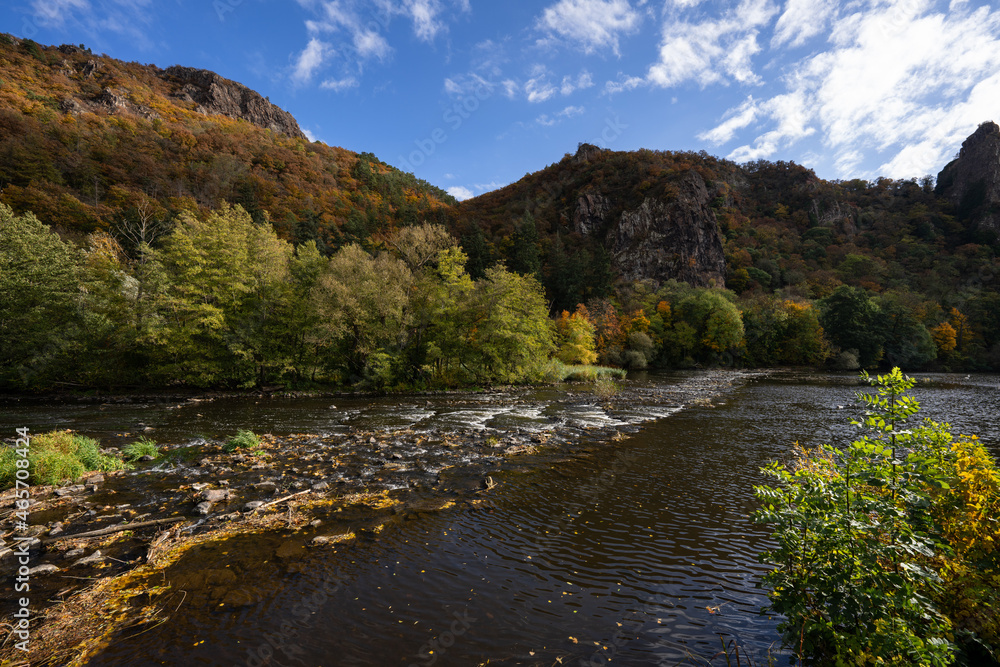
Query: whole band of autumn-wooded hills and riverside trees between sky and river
[159, 184]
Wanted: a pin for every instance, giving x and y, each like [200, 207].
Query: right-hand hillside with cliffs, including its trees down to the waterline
[915, 264]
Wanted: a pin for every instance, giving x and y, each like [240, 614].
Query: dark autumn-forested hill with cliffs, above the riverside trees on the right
[782, 228]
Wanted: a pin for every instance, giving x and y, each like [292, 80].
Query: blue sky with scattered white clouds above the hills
[471, 95]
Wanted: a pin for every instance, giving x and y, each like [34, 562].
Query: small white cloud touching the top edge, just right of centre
[590, 25]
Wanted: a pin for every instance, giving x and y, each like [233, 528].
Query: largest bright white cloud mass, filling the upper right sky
[900, 86]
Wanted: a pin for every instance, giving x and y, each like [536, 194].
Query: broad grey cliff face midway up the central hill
[676, 239]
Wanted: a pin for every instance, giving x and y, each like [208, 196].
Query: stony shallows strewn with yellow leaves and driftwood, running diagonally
[121, 550]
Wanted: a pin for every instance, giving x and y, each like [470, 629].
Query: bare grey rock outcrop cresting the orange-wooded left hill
[217, 95]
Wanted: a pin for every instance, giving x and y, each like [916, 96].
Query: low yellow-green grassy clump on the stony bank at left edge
[55, 457]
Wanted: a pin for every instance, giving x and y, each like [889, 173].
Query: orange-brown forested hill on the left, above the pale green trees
[91, 143]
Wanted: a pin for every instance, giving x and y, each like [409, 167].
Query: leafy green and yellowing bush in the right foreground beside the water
[886, 546]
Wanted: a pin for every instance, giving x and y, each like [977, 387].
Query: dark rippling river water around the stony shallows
[640, 553]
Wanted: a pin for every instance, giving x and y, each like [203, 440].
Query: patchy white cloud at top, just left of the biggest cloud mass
[712, 50]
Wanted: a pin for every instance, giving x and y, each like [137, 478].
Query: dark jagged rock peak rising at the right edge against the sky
[972, 181]
